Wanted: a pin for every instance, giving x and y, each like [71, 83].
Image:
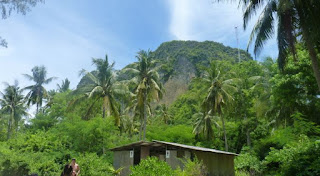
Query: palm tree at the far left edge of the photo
[13, 105]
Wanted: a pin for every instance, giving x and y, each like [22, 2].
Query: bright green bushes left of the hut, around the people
[46, 152]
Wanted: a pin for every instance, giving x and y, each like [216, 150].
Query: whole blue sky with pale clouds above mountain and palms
[65, 35]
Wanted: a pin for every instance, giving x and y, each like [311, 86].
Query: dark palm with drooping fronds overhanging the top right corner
[296, 21]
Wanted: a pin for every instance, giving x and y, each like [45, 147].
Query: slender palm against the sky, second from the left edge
[37, 92]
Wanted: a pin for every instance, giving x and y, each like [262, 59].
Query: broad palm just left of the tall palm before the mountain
[100, 85]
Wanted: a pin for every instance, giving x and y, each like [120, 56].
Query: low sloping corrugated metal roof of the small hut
[146, 143]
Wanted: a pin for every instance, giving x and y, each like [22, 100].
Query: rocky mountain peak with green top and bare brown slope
[183, 61]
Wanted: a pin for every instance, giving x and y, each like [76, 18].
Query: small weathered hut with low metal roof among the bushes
[216, 162]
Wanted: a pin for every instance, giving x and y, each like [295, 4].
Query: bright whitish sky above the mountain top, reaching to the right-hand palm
[208, 20]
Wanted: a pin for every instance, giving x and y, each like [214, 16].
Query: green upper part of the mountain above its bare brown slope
[179, 57]
